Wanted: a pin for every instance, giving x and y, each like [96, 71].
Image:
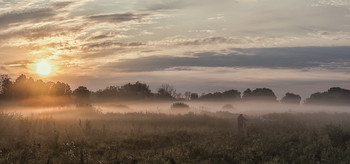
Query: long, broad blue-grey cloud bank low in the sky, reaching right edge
[291, 58]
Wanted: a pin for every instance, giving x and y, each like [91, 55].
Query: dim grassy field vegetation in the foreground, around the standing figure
[85, 135]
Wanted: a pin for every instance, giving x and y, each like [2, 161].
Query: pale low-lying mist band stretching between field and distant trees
[253, 108]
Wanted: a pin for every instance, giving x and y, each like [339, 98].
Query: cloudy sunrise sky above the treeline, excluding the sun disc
[299, 46]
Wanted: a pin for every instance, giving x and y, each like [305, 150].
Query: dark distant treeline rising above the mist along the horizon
[24, 88]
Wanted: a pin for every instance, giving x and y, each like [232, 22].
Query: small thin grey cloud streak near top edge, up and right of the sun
[117, 18]
